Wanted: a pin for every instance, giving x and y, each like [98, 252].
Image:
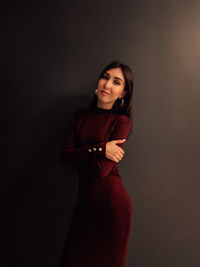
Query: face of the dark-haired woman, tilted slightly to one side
[110, 87]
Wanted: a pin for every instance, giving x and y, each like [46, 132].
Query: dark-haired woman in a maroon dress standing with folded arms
[101, 224]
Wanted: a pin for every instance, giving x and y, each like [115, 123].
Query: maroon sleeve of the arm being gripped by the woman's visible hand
[100, 168]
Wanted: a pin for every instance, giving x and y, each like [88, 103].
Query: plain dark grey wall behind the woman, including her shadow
[51, 55]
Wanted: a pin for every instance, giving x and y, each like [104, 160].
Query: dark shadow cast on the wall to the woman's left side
[43, 194]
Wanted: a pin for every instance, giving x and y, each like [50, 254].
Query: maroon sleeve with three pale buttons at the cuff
[76, 156]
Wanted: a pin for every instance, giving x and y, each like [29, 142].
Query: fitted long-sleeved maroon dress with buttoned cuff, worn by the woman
[101, 225]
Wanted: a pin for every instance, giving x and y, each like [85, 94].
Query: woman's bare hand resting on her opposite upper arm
[113, 151]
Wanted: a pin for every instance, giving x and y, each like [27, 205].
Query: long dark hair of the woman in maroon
[126, 109]
